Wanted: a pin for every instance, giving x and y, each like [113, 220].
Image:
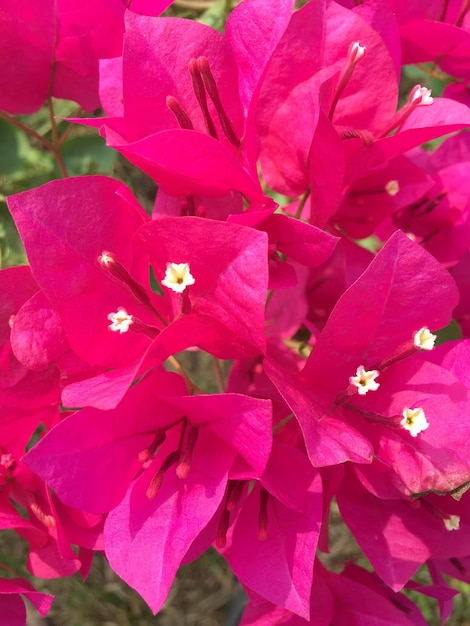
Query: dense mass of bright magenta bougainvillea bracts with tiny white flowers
[336, 390]
